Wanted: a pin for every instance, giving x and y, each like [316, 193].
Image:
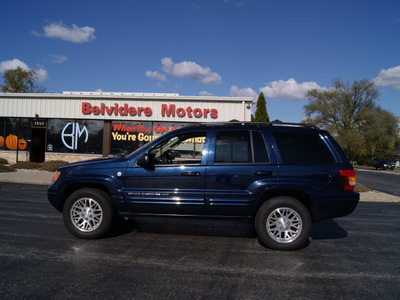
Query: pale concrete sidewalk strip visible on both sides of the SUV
[44, 178]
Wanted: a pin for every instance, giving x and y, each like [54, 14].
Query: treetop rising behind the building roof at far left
[20, 81]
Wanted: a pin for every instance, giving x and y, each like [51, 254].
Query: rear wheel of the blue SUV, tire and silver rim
[283, 223]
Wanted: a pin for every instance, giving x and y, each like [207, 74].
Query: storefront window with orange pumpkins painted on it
[15, 133]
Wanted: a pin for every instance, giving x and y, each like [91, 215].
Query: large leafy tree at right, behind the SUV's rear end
[364, 131]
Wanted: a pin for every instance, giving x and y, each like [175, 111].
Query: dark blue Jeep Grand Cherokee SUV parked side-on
[284, 176]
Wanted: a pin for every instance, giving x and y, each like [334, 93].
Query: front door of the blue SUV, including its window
[174, 181]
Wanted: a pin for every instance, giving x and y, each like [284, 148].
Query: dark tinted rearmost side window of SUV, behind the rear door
[302, 148]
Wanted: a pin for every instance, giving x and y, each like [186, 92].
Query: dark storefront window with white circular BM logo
[75, 136]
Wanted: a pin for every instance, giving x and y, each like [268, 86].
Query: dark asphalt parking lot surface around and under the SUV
[355, 257]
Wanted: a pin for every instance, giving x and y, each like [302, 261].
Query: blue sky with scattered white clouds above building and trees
[207, 47]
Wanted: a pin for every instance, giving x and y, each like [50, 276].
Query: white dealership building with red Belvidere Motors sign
[79, 125]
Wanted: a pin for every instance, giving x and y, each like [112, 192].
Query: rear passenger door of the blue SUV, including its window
[239, 169]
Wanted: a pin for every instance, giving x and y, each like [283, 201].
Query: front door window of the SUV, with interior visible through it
[183, 149]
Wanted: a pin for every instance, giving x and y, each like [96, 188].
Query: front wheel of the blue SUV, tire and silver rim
[88, 213]
